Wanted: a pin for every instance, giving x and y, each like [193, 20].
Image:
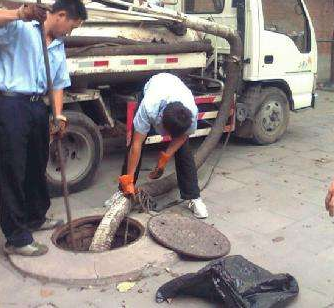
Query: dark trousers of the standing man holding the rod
[24, 151]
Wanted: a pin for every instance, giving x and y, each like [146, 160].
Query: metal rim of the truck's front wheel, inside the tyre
[272, 116]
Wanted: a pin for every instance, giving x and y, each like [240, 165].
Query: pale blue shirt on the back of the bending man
[159, 91]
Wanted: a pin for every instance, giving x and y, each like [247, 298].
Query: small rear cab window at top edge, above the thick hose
[204, 6]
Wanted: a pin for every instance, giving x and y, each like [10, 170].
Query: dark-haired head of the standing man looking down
[65, 16]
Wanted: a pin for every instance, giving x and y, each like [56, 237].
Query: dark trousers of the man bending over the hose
[186, 172]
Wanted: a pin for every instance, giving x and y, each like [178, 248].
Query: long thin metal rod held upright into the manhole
[59, 145]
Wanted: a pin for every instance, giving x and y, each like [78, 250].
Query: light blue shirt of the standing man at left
[22, 68]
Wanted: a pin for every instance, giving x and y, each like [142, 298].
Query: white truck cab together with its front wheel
[279, 62]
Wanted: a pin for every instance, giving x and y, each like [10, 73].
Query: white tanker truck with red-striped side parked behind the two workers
[117, 50]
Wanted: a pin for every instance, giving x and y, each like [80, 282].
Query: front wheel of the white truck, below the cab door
[272, 118]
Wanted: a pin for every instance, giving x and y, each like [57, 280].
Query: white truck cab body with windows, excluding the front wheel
[279, 42]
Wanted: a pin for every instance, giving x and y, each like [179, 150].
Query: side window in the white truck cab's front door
[288, 17]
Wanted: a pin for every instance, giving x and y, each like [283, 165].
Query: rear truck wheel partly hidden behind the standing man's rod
[82, 149]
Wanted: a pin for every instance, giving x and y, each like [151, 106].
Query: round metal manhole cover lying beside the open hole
[189, 236]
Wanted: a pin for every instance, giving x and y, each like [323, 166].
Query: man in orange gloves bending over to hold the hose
[169, 106]
